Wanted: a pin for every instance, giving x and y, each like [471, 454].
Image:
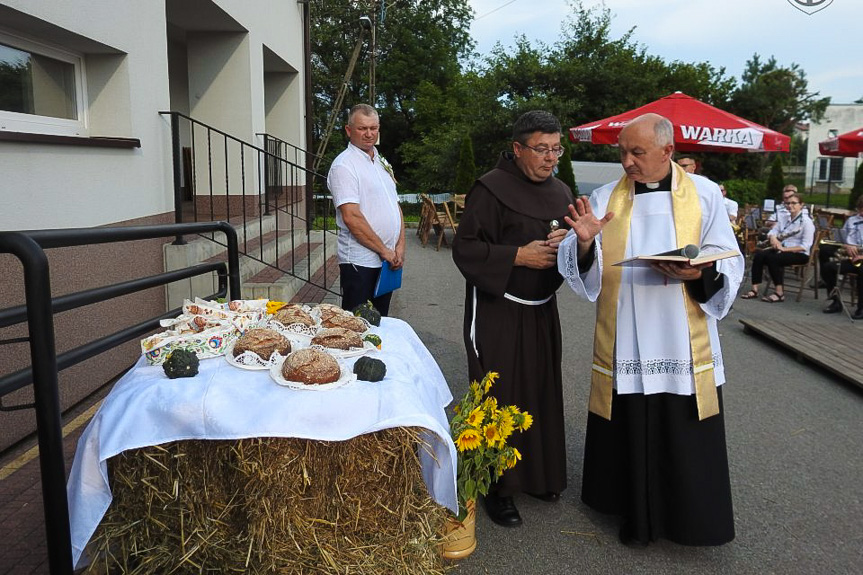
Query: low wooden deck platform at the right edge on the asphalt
[836, 348]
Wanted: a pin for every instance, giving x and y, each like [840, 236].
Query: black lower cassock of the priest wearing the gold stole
[660, 468]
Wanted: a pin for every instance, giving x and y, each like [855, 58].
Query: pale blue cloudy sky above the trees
[724, 33]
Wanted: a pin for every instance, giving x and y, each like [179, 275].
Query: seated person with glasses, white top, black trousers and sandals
[790, 242]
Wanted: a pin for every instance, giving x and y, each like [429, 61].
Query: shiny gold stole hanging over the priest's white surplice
[687, 225]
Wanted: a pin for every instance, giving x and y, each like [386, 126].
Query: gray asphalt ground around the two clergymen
[794, 443]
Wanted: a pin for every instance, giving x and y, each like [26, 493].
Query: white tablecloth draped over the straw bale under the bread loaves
[223, 402]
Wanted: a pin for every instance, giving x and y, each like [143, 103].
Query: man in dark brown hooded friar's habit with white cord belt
[506, 248]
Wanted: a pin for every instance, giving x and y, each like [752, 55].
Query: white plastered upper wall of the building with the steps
[61, 186]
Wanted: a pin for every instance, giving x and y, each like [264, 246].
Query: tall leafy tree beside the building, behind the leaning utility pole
[416, 43]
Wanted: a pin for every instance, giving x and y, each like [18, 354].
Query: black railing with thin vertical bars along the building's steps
[219, 176]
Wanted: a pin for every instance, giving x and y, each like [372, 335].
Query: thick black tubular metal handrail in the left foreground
[29, 247]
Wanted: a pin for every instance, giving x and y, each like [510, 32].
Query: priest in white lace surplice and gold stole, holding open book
[655, 445]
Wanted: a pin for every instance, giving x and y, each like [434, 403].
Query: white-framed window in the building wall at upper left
[41, 88]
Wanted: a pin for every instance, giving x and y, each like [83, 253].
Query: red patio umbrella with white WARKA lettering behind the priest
[698, 127]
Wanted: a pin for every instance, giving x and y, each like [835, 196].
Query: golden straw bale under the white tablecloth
[272, 505]
